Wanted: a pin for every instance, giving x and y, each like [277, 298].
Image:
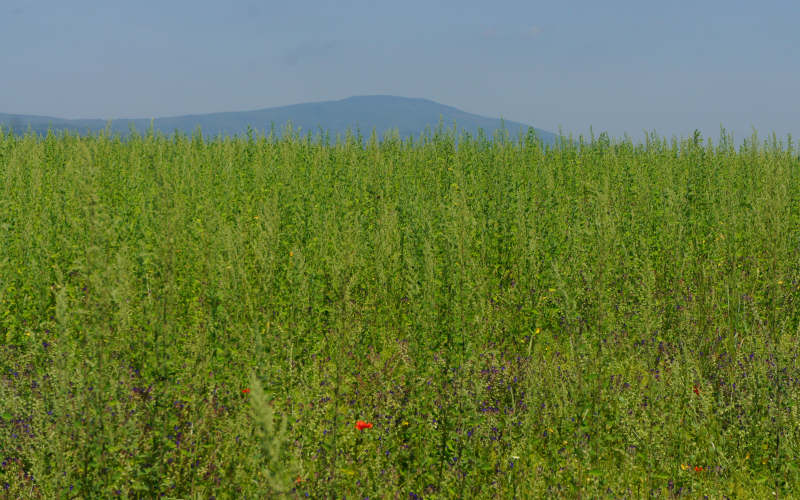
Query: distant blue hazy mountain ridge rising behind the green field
[382, 113]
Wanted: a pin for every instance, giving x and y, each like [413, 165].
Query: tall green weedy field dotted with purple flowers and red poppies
[262, 317]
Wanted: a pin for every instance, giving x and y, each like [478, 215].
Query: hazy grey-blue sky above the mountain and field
[620, 66]
